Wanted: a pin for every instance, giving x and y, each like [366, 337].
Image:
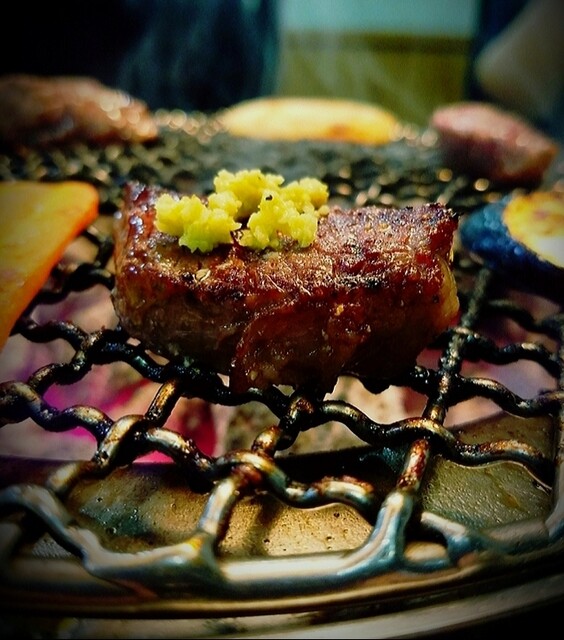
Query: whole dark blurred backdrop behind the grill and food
[208, 54]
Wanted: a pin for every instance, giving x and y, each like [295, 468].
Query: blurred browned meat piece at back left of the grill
[40, 111]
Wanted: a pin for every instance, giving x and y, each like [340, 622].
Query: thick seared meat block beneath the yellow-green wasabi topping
[365, 298]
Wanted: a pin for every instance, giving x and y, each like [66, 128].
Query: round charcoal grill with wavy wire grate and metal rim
[422, 515]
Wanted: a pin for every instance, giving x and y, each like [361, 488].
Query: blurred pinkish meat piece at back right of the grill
[488, 142]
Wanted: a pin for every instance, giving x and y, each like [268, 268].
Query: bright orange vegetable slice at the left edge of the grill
[37, 222]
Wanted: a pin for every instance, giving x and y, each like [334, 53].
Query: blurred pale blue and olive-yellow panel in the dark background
[380, 51]
